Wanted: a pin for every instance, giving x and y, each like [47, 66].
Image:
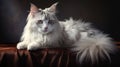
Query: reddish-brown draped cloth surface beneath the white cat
[11, 57]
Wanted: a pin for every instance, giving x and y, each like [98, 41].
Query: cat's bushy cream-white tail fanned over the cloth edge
[94, 48]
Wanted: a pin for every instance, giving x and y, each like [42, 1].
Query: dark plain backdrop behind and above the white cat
[103, 14]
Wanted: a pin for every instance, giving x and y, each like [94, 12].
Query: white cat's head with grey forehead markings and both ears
[43, 20]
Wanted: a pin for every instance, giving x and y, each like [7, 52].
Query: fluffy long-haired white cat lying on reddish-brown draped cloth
[44, 30]
